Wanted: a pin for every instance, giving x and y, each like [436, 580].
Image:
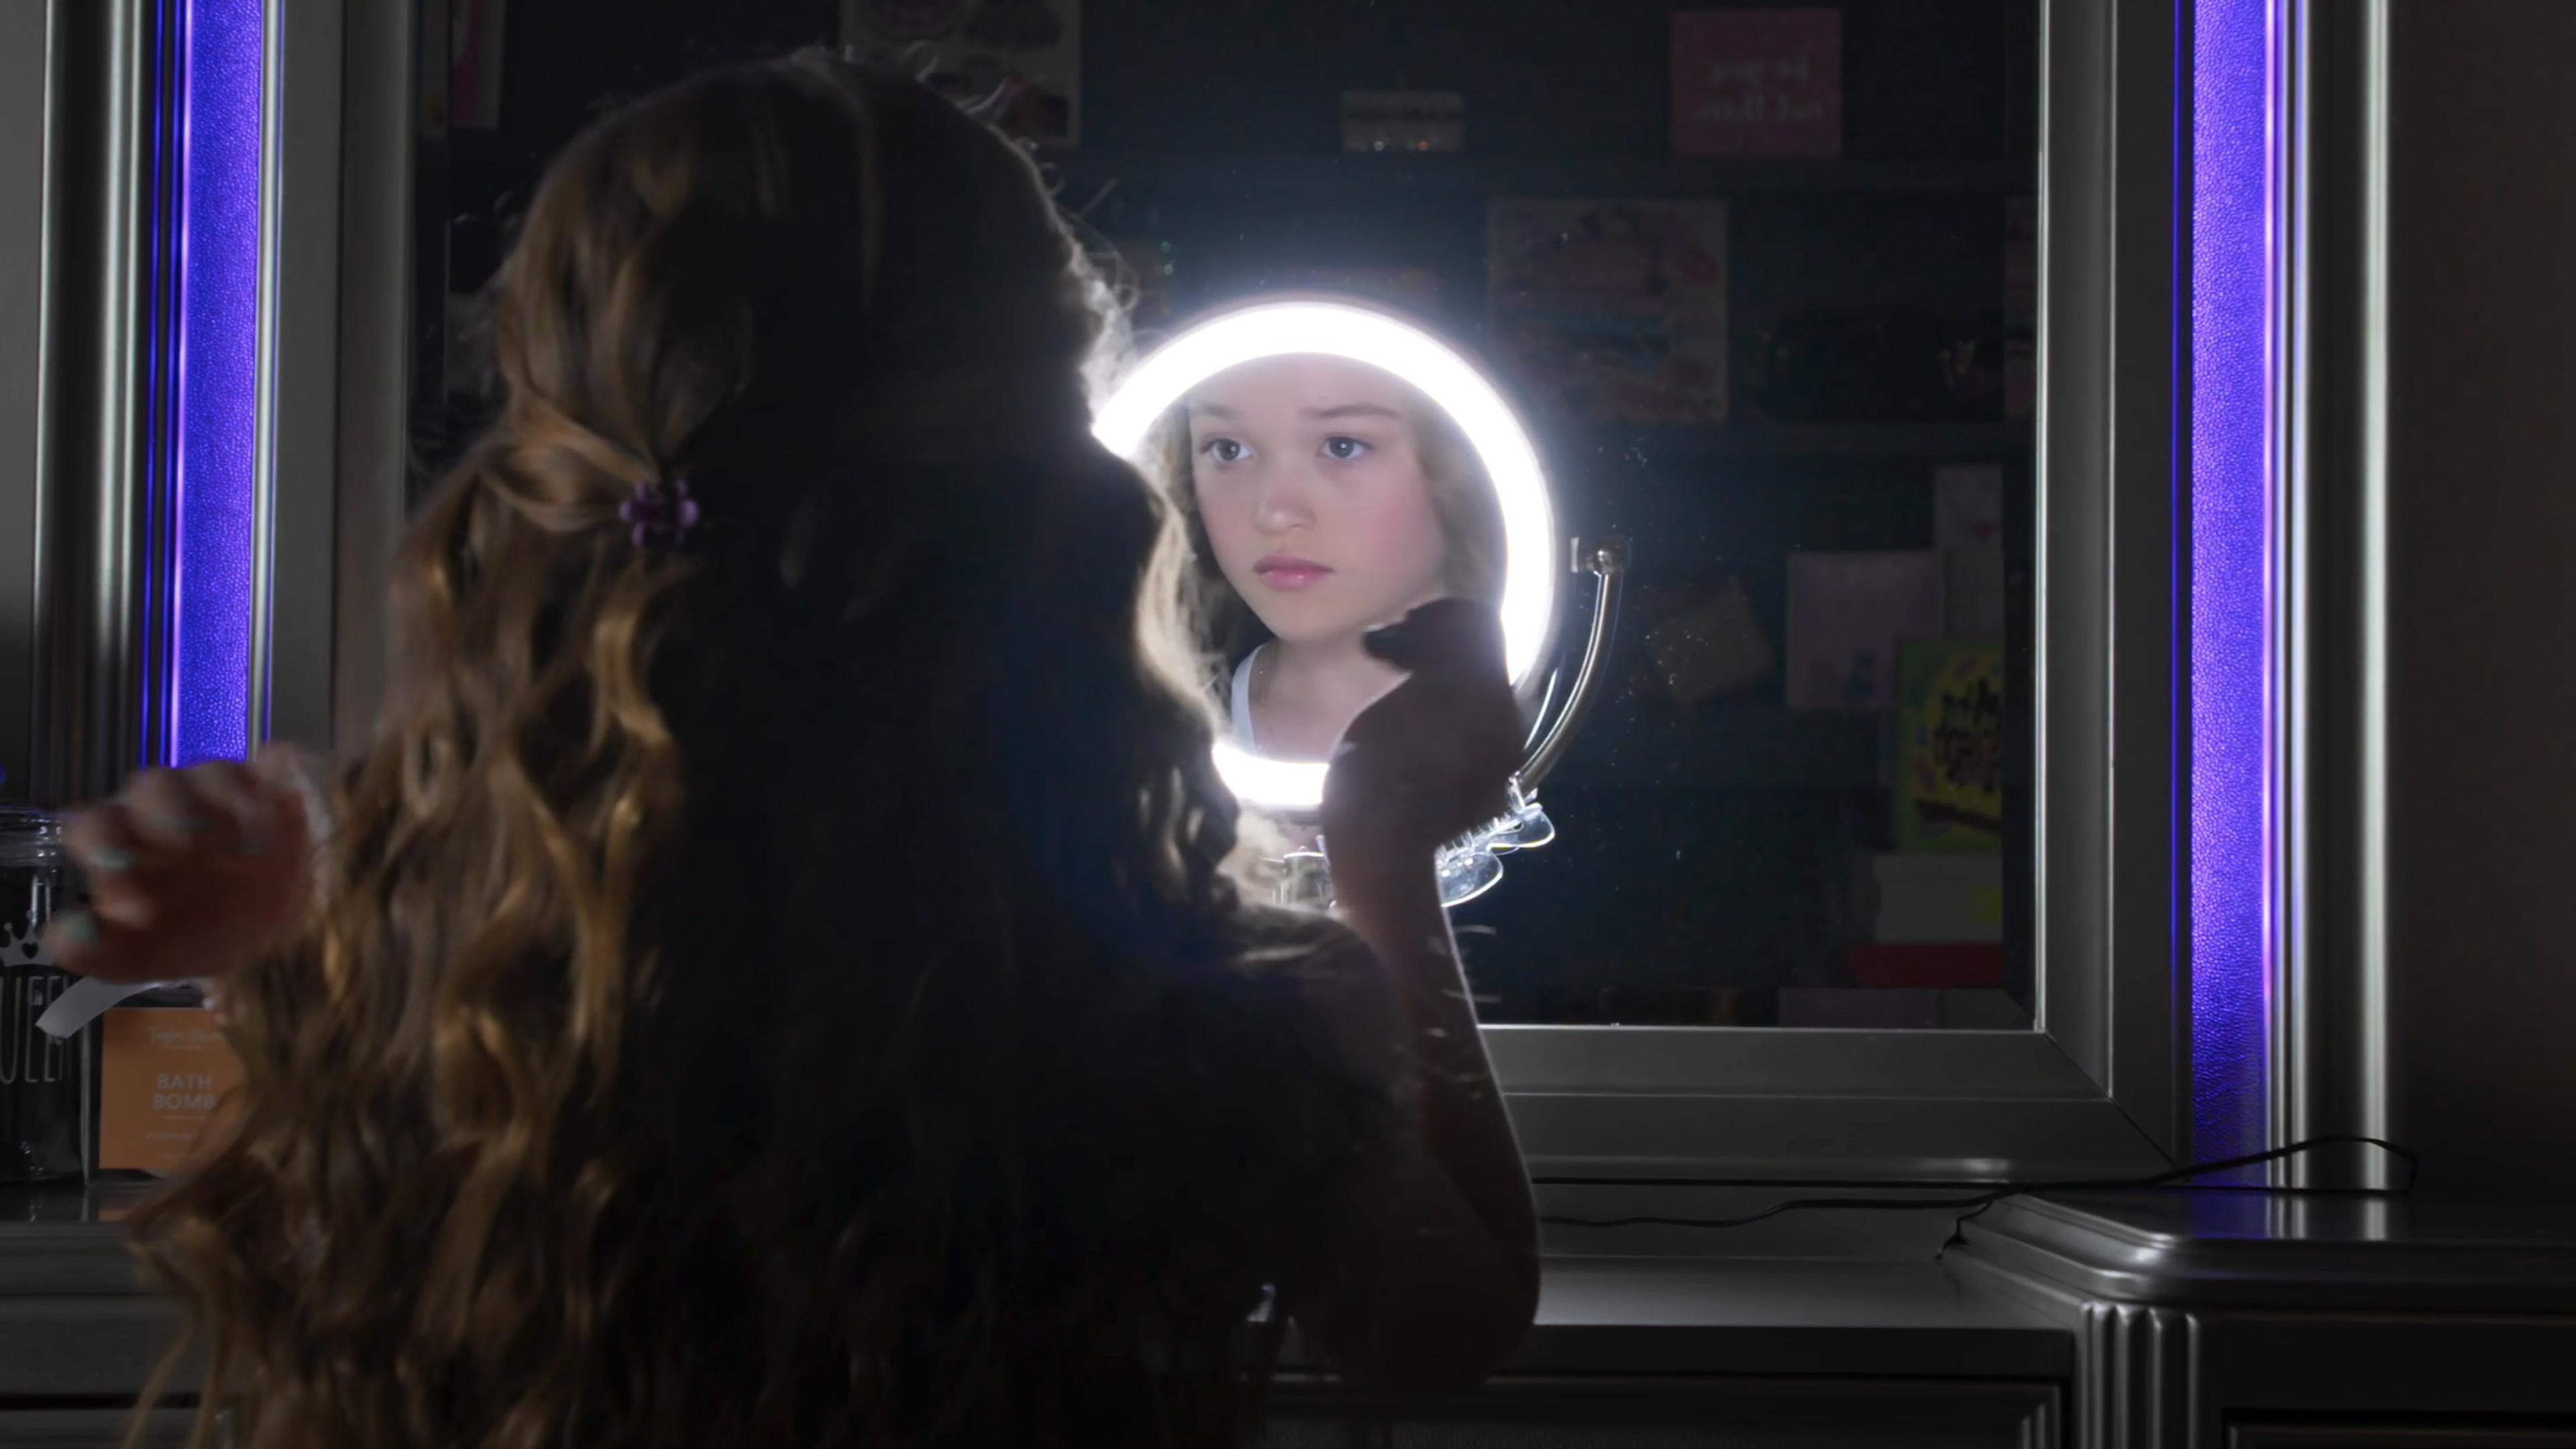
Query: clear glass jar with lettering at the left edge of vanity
[40, 1074]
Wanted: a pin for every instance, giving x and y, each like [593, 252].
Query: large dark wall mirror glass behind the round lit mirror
[1758, 287]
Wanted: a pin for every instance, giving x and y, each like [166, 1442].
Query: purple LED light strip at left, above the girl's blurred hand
[207, 692]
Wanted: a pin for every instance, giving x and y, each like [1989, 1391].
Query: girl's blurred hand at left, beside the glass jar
[192, 873]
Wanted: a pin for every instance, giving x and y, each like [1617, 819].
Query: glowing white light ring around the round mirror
[1436, 373]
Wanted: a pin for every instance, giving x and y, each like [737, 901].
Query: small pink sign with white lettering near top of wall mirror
[1758, 84]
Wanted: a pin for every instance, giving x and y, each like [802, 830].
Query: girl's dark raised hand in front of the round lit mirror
[1436, 757]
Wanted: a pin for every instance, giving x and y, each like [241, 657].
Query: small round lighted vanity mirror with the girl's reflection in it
[1343, 465]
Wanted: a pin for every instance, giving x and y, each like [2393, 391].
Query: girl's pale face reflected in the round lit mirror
[1310, 481]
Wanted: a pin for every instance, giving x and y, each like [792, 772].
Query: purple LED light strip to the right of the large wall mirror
[2232, 574]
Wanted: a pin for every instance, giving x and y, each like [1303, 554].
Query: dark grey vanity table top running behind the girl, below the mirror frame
[1990, 1308]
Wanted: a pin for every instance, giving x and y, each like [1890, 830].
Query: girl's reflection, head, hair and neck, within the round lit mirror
[1328, 499]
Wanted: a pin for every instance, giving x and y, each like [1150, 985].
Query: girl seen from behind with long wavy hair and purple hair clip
[777, 973]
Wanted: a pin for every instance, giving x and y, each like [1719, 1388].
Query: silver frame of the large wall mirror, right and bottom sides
[2096, 1089]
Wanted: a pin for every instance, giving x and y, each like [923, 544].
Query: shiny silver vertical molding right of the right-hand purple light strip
[2330, 989]
